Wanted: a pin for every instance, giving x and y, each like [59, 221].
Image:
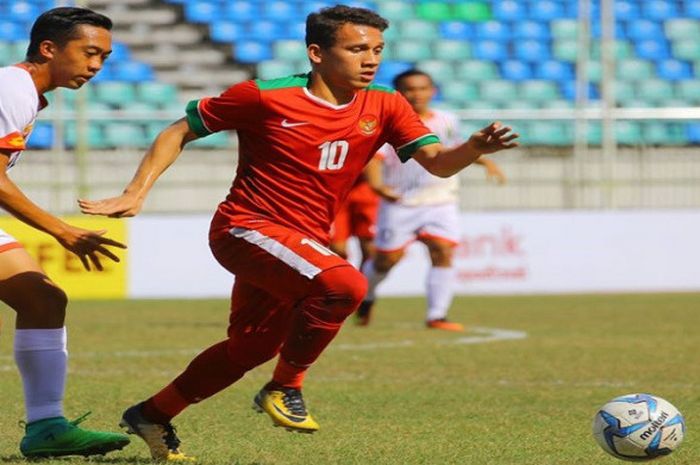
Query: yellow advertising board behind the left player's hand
[65, 268]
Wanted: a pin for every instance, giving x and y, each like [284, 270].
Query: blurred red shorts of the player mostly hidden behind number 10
[358, 216]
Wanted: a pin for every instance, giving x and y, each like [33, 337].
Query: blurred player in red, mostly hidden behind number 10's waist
[357, 217]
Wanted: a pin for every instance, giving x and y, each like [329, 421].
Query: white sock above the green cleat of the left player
[42, 360]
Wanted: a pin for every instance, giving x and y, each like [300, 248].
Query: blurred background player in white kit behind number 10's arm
[417, 205]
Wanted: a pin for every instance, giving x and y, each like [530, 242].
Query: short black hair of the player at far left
[60, 25]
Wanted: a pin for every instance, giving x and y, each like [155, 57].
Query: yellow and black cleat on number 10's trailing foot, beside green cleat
[161, 439]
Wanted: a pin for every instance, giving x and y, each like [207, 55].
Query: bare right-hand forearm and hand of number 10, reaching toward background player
[445, 162]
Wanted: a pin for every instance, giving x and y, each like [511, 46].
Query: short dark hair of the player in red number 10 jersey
[321, 27]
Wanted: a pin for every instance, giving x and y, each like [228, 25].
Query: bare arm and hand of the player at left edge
[87, 245]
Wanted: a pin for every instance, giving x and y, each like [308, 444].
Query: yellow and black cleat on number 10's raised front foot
[286, 408]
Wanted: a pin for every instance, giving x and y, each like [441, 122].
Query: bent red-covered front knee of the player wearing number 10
[341, 289]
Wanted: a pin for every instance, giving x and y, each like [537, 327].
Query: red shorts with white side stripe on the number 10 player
[274, 268]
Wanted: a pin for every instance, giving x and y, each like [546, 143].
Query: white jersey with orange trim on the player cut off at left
[19, 106]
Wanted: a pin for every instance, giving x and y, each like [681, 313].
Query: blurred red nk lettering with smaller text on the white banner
[492, 255]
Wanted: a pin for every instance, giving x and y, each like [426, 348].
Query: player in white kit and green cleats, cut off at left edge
[68, 46]
